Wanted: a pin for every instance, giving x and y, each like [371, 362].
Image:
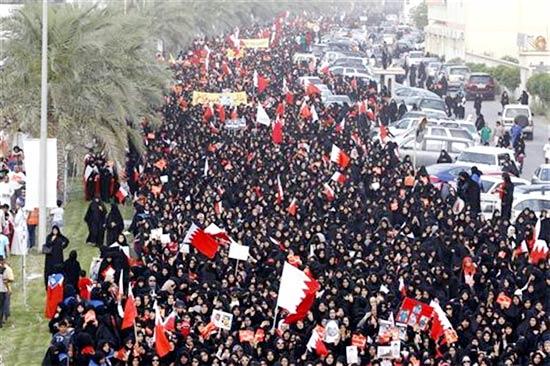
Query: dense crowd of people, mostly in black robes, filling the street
[378, 233]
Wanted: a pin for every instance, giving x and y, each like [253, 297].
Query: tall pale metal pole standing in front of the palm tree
[43, 158]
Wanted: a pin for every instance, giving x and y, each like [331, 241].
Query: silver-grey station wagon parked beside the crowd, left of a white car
[429, 149]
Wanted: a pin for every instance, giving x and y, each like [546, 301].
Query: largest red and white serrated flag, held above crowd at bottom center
[297, 292]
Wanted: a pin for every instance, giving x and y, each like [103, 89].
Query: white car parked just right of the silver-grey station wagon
[487, 158]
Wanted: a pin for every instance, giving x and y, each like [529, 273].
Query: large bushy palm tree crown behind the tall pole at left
[102, 75]
